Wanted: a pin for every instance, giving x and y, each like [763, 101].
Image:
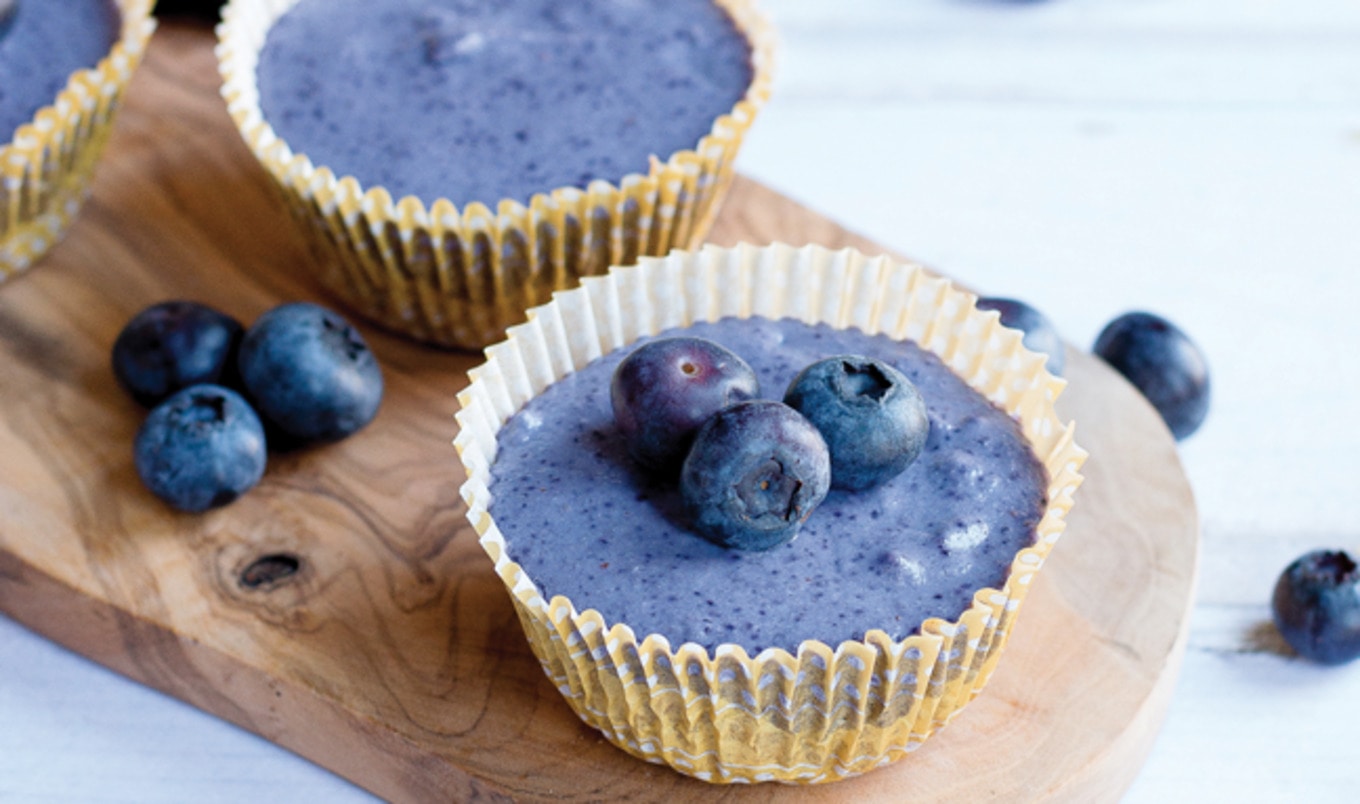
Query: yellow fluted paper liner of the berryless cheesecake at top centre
[459, 278]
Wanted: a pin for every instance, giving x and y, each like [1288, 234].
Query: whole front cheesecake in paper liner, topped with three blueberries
[868, 475]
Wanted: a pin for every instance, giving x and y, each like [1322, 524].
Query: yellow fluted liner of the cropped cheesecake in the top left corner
[48, 165]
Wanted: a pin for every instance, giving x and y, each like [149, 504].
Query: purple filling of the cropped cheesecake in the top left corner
[41, 46]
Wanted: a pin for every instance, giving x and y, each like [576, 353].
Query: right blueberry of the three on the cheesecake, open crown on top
[871, 416]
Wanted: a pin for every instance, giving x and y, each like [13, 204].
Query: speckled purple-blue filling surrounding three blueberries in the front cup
[585, 524]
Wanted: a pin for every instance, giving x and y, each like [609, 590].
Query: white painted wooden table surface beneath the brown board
[1199, 158]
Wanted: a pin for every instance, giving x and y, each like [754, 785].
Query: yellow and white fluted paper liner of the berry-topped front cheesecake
[825, 712]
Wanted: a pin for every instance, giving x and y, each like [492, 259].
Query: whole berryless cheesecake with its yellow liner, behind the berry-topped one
[455, 163]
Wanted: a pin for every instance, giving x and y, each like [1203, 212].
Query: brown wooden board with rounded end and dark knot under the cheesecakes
[392, 655]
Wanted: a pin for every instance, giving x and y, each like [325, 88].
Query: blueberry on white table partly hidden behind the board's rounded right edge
[1163, 364]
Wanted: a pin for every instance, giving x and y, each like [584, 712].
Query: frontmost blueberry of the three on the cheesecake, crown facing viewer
[755, 473]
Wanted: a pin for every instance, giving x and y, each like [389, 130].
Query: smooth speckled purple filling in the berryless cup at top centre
[481, 101]
